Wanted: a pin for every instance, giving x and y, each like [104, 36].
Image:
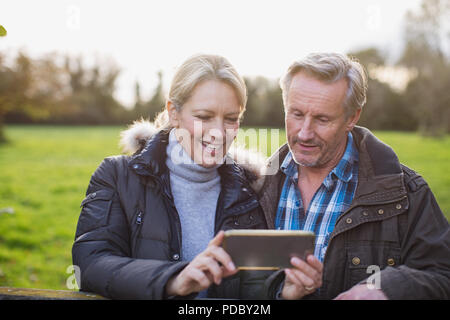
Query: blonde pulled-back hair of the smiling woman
[193, 71]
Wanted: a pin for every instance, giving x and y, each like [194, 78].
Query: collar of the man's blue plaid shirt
[343, 171]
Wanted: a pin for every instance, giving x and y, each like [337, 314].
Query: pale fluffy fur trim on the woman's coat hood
[136, 136]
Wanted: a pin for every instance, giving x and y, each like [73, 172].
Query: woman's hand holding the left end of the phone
[210, 266]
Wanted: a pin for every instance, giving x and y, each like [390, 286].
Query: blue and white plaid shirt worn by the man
[333, 197]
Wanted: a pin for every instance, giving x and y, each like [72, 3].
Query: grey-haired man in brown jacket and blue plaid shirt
[379, 232]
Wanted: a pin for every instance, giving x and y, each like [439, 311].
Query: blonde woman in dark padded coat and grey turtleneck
[150, 223]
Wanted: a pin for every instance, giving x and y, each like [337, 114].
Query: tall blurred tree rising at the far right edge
[427, 49]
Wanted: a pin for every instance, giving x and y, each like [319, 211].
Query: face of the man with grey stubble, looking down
[316, 122]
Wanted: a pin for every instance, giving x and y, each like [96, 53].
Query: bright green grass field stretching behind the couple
[45, 170]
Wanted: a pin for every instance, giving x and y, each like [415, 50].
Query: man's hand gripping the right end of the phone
[303, 279]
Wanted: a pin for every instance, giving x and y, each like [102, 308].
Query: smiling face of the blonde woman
[208, 122]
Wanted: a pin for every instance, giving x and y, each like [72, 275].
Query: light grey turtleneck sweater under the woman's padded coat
[195, 190]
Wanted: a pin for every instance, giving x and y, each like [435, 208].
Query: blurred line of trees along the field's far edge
[56, 89]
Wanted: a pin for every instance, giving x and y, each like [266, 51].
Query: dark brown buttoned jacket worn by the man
[393, 222]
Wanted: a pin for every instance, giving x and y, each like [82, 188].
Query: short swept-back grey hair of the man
[331, 67]
